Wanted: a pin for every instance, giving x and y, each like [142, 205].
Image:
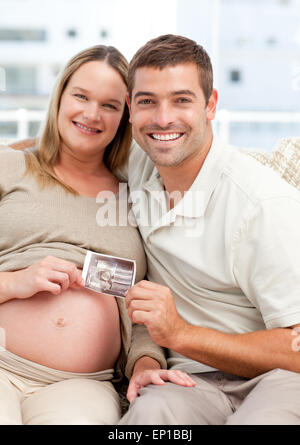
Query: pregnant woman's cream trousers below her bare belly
[32, 394]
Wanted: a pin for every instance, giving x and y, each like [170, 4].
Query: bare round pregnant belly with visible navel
[76, 331]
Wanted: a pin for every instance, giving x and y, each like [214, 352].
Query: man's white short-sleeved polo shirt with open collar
[230, 249]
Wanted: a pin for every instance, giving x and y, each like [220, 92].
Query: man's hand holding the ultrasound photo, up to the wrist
[153, 305]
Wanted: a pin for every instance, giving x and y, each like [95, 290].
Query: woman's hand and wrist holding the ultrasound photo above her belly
[50, 274]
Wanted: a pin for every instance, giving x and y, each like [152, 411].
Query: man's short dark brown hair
[171, 50]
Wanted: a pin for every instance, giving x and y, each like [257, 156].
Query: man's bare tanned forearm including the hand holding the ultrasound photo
[247, 355]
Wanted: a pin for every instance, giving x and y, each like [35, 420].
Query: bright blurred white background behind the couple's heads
[254, 46]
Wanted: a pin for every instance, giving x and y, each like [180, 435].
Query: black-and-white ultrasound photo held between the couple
[108, 274]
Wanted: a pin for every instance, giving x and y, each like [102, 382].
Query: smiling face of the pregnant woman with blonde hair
[91, 109]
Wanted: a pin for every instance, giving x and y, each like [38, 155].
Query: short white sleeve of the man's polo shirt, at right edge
[267, 260]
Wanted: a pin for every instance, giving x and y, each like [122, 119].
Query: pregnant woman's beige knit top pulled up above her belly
[37, 222]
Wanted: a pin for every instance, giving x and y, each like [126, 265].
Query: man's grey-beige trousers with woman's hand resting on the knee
[220, 399]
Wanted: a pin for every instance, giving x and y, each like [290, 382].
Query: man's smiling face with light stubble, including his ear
[169, 115]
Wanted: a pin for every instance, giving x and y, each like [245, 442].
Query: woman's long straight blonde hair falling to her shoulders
[40, 161]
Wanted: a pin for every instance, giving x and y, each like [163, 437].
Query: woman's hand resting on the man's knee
[147, 371]
